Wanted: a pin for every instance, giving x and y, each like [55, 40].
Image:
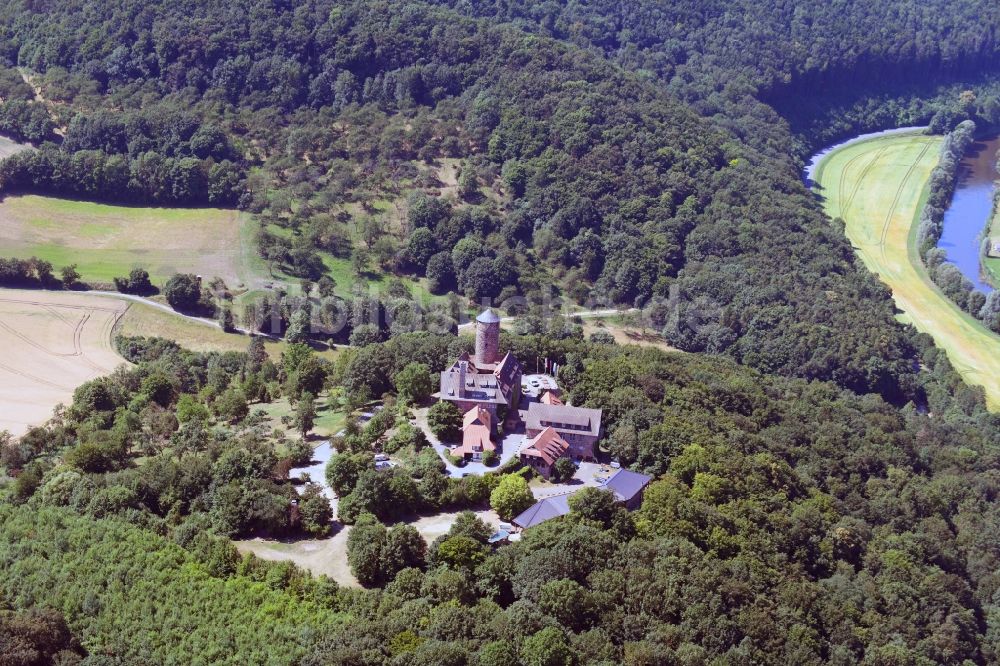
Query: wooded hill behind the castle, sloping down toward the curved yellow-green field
[607, 183]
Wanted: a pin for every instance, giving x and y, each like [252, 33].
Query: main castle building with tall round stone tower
[485, 380]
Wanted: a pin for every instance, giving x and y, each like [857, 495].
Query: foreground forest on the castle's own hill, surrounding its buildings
[790, 522]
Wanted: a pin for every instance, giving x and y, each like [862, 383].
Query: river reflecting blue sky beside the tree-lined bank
[970, 209]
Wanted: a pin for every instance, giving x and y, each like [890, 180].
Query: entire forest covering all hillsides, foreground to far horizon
[825, 485]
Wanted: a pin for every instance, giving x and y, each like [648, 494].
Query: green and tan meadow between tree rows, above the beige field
[107, 241]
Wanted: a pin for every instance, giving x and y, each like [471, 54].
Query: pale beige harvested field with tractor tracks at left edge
[53, 342]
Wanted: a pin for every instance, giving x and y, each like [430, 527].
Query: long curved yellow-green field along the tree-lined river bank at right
[878, 188]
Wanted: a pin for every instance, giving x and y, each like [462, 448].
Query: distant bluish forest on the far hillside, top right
[828, 69]
